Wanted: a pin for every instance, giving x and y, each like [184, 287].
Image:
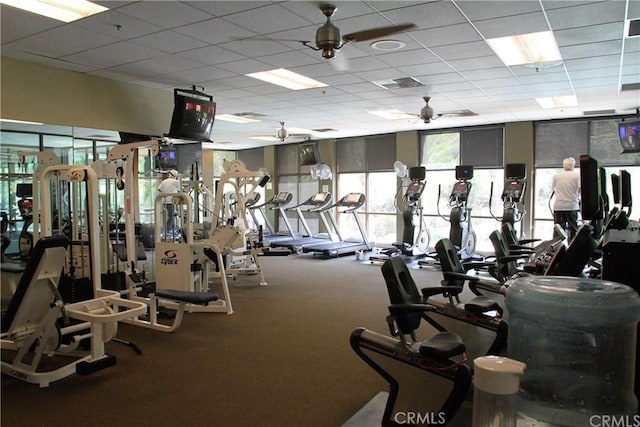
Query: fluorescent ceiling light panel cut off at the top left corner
[62, 10]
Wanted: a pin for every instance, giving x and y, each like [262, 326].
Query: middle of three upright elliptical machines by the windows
[461, 232]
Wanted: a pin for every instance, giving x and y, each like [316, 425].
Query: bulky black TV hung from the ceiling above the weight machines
[192, 118]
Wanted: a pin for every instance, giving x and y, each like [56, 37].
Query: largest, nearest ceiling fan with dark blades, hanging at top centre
[328, 39]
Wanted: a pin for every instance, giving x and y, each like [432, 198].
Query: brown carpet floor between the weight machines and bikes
[281, 359]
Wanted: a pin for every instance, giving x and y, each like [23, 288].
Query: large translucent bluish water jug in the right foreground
[577, 337]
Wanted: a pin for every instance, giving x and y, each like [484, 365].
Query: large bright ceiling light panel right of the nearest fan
[526, 48]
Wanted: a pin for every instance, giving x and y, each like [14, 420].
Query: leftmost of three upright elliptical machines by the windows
[415, 240]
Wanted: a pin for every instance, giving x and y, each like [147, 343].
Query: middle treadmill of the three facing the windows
[317, 204]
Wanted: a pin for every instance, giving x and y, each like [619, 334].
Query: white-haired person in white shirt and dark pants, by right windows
[566, 185]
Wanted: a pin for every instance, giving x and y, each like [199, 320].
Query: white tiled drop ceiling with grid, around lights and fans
[213, 44]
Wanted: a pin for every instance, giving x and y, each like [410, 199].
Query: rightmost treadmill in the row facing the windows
[351, 203]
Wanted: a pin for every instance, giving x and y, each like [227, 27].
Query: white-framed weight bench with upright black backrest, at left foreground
[37, 321]
